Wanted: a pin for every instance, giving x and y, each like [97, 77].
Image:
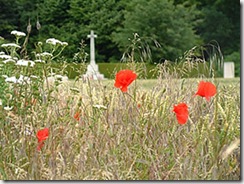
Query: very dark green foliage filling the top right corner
[221, 22]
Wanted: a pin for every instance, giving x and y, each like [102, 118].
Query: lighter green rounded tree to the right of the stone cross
[158, 21]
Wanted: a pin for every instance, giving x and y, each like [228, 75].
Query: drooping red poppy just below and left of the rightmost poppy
[181, 111]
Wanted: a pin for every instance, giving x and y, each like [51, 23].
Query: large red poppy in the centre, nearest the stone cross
[124, 78]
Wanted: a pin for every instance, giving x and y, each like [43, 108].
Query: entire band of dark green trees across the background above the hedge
[164, 28]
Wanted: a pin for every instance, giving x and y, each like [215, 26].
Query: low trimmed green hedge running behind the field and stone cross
[149, 71]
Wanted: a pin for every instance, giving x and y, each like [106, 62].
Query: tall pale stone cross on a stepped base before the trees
[92, 69]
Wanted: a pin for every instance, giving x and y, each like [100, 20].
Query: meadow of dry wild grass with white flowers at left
[98, 132]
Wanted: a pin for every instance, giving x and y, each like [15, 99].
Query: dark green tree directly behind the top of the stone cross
[101, 16]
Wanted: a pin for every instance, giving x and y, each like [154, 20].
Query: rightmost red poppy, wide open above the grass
[206, 89]
